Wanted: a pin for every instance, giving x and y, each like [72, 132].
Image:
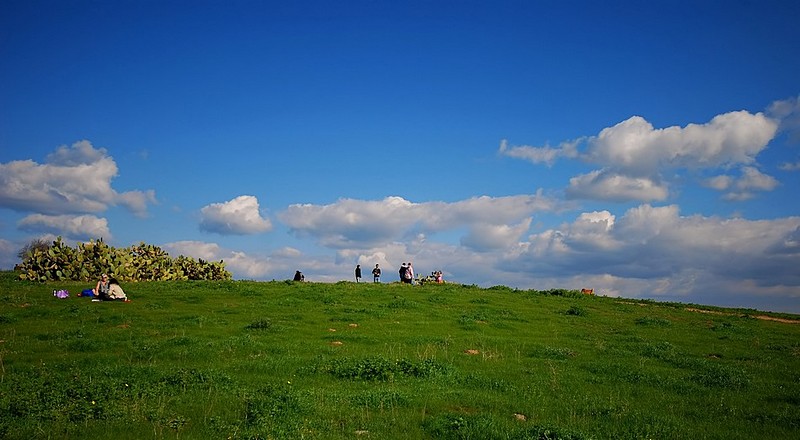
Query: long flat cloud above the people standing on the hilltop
[365, 224]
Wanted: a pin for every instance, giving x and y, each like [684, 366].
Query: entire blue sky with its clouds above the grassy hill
[643, 149]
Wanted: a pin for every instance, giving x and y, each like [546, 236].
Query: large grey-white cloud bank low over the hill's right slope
[672, 253]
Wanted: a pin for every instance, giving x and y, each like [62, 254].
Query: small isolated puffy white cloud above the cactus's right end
[240, 216]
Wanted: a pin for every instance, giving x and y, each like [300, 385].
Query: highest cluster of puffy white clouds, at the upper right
[635, 157]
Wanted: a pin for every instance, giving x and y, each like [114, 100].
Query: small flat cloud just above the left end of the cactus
[80, 227]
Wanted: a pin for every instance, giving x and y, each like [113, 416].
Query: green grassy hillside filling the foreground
[285, 360]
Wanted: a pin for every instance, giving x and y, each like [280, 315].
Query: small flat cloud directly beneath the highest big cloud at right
[612, 186]
